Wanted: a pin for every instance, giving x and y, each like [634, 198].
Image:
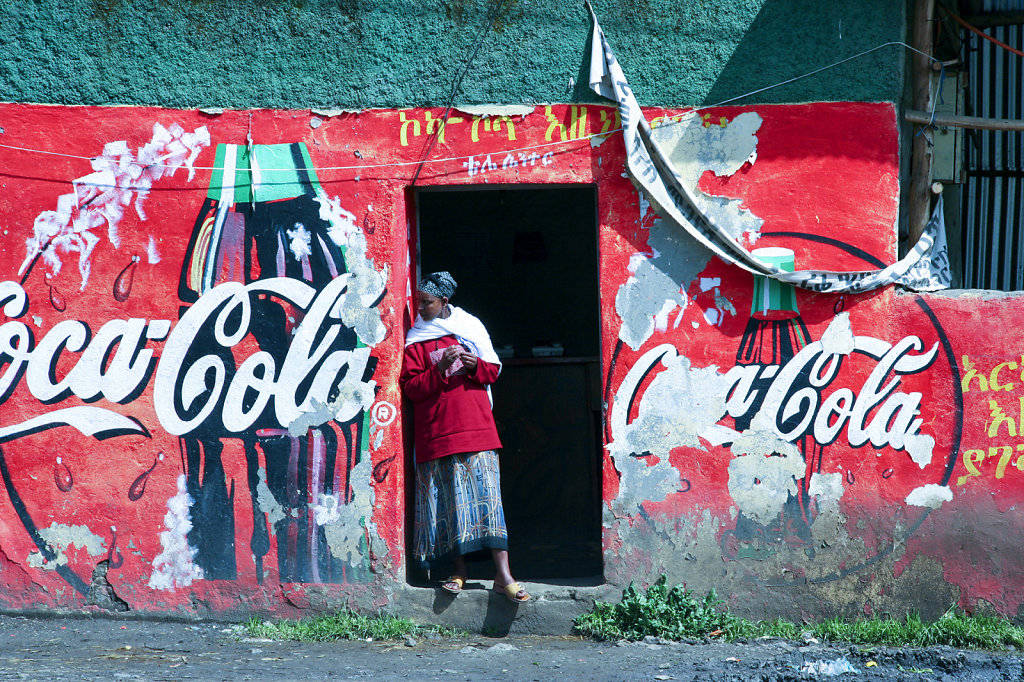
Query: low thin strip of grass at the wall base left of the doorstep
[344, 625]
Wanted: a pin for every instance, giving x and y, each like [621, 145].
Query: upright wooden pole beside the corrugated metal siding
[920, 201]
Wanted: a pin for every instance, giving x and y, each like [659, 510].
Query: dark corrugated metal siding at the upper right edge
[994, 227]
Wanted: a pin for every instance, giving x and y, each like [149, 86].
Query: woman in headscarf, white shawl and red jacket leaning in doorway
[448, 370]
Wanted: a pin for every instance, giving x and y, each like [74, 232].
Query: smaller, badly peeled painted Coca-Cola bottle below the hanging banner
[775, 334]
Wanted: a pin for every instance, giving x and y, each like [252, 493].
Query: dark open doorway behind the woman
[526, 261]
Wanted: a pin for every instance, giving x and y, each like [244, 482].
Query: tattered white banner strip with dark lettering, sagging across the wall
[924, 269]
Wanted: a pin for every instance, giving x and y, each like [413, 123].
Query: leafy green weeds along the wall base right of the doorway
[677, 614]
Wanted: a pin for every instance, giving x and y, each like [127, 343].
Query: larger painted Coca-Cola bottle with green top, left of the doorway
[263, 219]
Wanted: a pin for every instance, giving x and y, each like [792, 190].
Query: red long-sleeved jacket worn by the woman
[451, 414]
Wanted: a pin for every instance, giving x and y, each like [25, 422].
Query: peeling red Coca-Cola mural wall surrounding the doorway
[203, 317]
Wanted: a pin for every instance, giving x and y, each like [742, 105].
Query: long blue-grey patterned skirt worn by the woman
[458, 507]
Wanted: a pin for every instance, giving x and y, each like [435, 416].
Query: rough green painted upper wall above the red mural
[372, 54]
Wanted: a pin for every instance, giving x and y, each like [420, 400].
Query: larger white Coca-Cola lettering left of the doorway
[195, 380]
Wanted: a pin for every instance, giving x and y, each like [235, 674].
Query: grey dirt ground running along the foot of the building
[80, 649]
